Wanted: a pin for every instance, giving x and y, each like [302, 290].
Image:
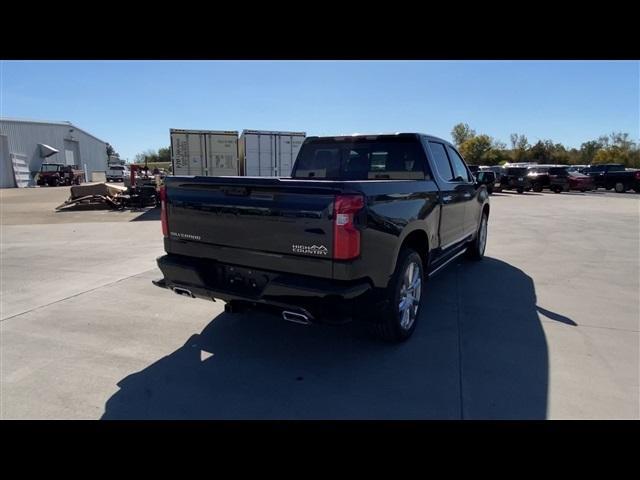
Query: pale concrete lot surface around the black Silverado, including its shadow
[546, 326]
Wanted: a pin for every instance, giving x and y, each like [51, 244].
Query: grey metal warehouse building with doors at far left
[29, 143]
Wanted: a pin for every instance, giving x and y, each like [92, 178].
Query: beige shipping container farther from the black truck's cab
[207, 153]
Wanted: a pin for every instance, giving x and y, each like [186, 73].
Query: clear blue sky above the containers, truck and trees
[132, 104]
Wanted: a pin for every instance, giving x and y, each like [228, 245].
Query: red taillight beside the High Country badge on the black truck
[346, 237]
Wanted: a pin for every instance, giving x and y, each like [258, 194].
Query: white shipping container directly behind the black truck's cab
[268, 154]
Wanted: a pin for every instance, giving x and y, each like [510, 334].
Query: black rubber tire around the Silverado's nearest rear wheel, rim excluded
[388, 322]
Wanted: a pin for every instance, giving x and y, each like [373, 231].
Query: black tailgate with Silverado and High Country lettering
[286, 222]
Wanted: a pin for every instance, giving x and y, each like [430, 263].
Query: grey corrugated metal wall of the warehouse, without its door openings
[24, 138]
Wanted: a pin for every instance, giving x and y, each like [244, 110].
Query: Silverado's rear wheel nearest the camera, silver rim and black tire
[397, 320]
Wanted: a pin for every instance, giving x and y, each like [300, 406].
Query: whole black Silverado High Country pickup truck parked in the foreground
[355, 231]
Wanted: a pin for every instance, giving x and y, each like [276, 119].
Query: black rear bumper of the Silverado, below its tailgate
[320, 299]
